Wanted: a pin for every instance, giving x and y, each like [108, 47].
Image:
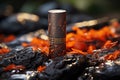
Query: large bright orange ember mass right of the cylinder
[79, 39]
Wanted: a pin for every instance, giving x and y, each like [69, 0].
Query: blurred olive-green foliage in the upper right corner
[95, 6]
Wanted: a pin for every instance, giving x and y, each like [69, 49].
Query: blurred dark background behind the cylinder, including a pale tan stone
[28, 15]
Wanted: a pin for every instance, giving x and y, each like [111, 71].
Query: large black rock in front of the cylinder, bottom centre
[64, 68]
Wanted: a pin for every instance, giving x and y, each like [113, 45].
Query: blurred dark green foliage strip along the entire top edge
[94, 7]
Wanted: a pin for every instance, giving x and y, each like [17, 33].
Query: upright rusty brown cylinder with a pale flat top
[57, 32]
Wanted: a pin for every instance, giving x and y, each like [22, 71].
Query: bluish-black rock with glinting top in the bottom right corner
[109, 71]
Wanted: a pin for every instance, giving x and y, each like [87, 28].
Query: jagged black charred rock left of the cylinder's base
[26, 57]
